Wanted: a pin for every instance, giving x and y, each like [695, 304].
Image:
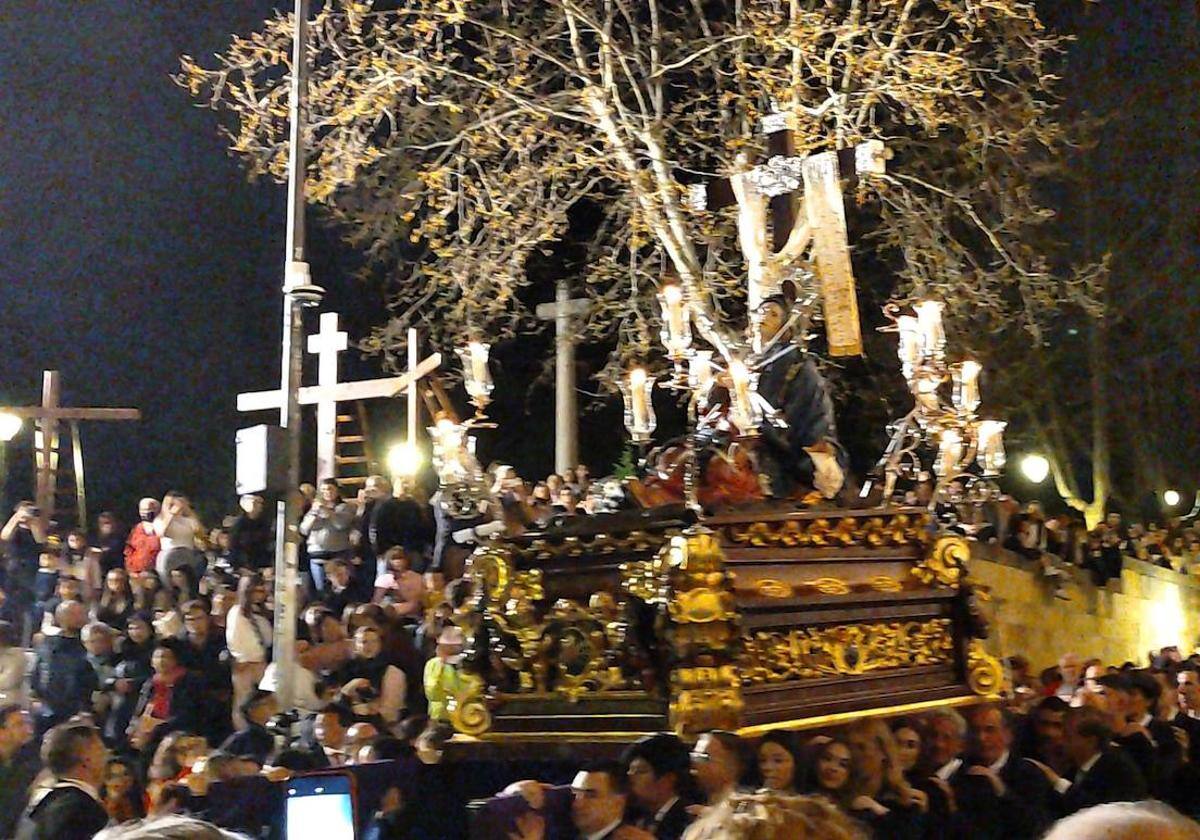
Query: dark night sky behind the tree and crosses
[139, 260]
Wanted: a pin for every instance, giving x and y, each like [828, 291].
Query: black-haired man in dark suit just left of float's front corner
[659, 772]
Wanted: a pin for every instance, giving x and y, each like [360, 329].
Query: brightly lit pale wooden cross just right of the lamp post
[327, 345]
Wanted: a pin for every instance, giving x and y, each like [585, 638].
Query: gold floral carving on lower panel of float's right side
[805, 653]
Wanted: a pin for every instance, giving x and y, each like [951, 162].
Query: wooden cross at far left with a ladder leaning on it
[46, 451]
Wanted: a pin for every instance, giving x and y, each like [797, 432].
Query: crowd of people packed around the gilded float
[136, 675]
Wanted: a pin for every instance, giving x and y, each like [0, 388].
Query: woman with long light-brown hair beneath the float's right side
[880, 795]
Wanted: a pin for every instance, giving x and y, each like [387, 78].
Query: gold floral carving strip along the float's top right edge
[875, 532]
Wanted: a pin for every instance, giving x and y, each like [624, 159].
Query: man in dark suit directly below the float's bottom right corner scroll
[1023, 790]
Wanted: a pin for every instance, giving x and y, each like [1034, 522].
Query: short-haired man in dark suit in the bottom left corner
[71, 809]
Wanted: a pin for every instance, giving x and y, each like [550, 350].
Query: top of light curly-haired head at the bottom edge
[770, 815]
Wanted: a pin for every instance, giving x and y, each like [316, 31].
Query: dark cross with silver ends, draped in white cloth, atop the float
[821, 225]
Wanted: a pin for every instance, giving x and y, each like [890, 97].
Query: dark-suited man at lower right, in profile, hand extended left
[1105, 773]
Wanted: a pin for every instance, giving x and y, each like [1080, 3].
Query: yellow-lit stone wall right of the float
[1145, 610]
